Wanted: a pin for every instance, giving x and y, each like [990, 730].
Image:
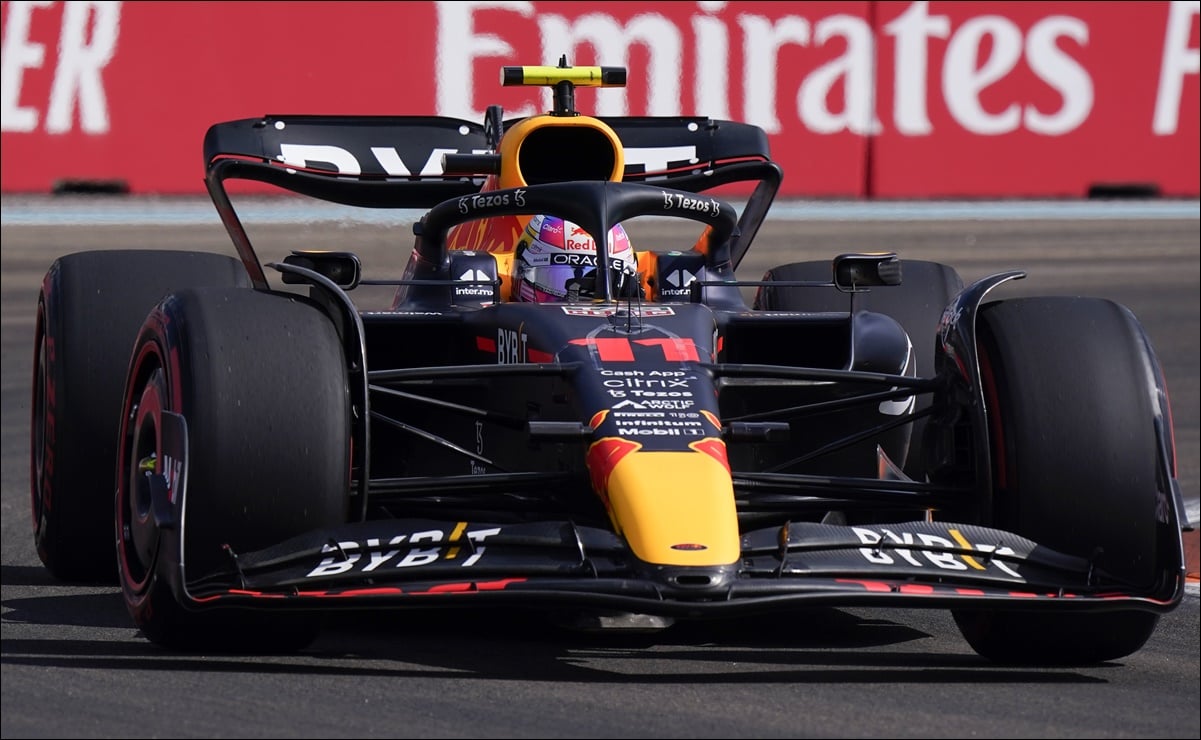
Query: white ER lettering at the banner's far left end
[87, 44]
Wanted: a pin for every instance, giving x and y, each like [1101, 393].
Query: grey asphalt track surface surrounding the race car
[74, 667]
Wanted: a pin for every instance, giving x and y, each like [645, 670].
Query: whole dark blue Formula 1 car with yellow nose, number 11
[552, 415]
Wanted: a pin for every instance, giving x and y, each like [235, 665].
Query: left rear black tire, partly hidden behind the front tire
[89, 312]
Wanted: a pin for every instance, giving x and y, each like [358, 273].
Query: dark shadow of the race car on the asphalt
[87, 628]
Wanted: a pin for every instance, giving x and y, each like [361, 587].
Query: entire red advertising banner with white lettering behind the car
[887, 100]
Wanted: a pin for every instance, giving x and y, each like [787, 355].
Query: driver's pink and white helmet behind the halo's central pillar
[555, 262]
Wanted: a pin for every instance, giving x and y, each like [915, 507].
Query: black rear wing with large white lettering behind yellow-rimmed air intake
[397, 162]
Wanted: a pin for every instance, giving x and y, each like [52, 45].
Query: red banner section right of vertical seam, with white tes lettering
[1043, 99]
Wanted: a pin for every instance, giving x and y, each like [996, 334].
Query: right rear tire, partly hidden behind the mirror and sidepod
[917, 305]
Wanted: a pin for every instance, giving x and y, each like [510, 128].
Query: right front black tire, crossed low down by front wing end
[1072, 386]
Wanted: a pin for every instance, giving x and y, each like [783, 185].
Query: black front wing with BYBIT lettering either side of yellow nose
[429, 564]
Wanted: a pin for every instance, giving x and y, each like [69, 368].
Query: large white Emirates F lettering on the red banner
[965, 76]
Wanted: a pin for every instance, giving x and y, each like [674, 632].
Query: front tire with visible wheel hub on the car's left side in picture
[261, 383]
